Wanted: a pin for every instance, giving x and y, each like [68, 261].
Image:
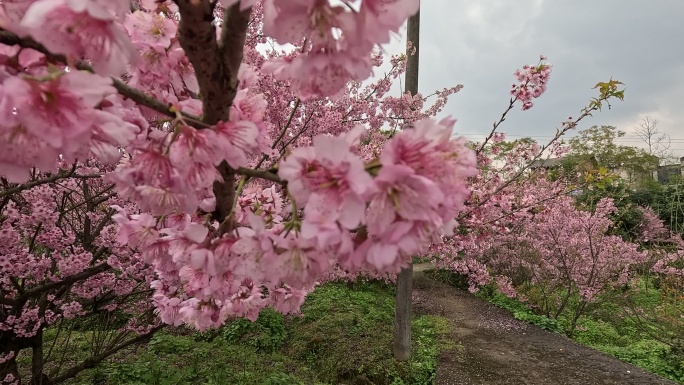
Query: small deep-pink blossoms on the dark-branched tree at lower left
[44, 242]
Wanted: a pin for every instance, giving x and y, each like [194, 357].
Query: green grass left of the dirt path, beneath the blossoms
[343, 337]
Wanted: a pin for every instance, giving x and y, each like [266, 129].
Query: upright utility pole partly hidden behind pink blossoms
[404, 290]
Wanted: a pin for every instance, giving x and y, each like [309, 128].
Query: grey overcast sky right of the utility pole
[480, 43]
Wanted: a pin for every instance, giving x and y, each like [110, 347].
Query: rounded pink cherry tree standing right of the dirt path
[564, 256]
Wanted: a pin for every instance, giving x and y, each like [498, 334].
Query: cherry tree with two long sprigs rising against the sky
[507, 187]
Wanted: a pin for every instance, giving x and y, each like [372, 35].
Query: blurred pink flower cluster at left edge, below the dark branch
[49, 118]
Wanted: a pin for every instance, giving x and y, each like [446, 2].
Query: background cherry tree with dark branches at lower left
[61, 265]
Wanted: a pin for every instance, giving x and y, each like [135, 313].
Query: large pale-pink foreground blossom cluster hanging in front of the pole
[339, 215]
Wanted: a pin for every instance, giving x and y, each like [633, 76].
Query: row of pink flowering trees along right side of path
[564, 256]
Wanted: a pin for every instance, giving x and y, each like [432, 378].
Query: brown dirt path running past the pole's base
[493, 348]
